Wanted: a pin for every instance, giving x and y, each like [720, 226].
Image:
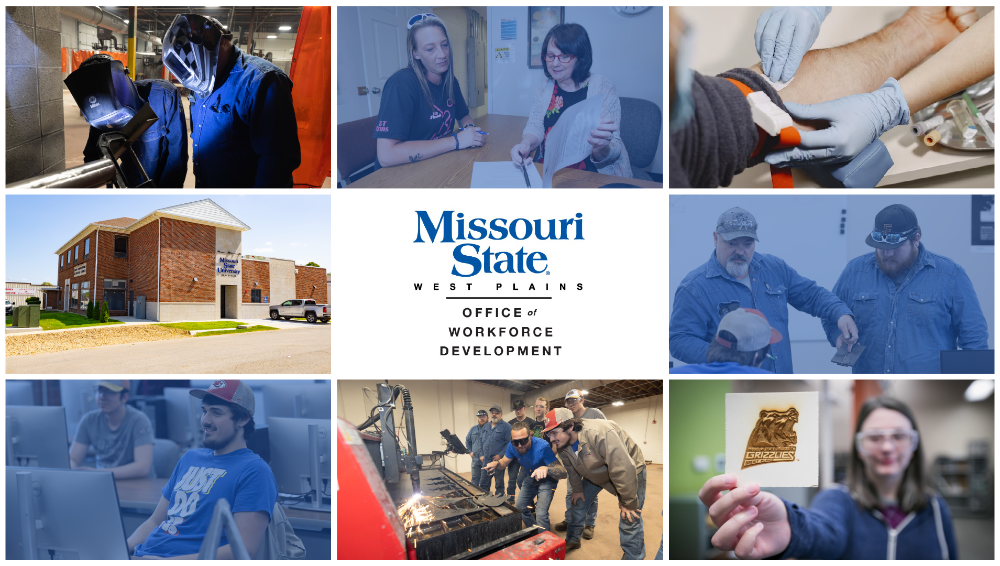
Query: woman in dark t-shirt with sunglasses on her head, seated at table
[422, 102]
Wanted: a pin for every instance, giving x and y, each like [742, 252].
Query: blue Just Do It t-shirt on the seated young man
[199, 480]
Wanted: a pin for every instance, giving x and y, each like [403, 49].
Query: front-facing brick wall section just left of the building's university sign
[188, 252]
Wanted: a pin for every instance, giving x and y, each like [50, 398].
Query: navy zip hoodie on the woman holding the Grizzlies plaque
[836, 528]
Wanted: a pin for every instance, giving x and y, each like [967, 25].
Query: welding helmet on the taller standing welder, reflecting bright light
[191, 51]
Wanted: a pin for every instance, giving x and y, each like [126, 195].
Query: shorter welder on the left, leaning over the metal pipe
[108, 99]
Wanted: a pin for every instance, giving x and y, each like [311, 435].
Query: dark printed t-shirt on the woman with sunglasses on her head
[405, 115]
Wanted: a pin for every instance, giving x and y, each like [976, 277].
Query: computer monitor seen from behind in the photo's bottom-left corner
[76, 509]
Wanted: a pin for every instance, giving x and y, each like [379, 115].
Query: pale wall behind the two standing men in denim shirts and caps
[804, 231]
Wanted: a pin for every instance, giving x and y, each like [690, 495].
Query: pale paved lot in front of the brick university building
[295, 351]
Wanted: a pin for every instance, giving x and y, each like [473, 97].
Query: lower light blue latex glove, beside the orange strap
[855, 122]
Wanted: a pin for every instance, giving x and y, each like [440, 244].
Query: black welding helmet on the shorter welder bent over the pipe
[104, 92]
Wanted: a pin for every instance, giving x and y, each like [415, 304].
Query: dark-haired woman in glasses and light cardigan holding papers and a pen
[568, 57]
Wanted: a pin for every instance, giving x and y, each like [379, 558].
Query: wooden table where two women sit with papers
[453, 170]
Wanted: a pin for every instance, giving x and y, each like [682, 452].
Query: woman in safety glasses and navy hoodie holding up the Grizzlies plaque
[886, 511]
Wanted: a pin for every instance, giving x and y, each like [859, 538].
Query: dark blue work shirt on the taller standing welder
[244, 133]
